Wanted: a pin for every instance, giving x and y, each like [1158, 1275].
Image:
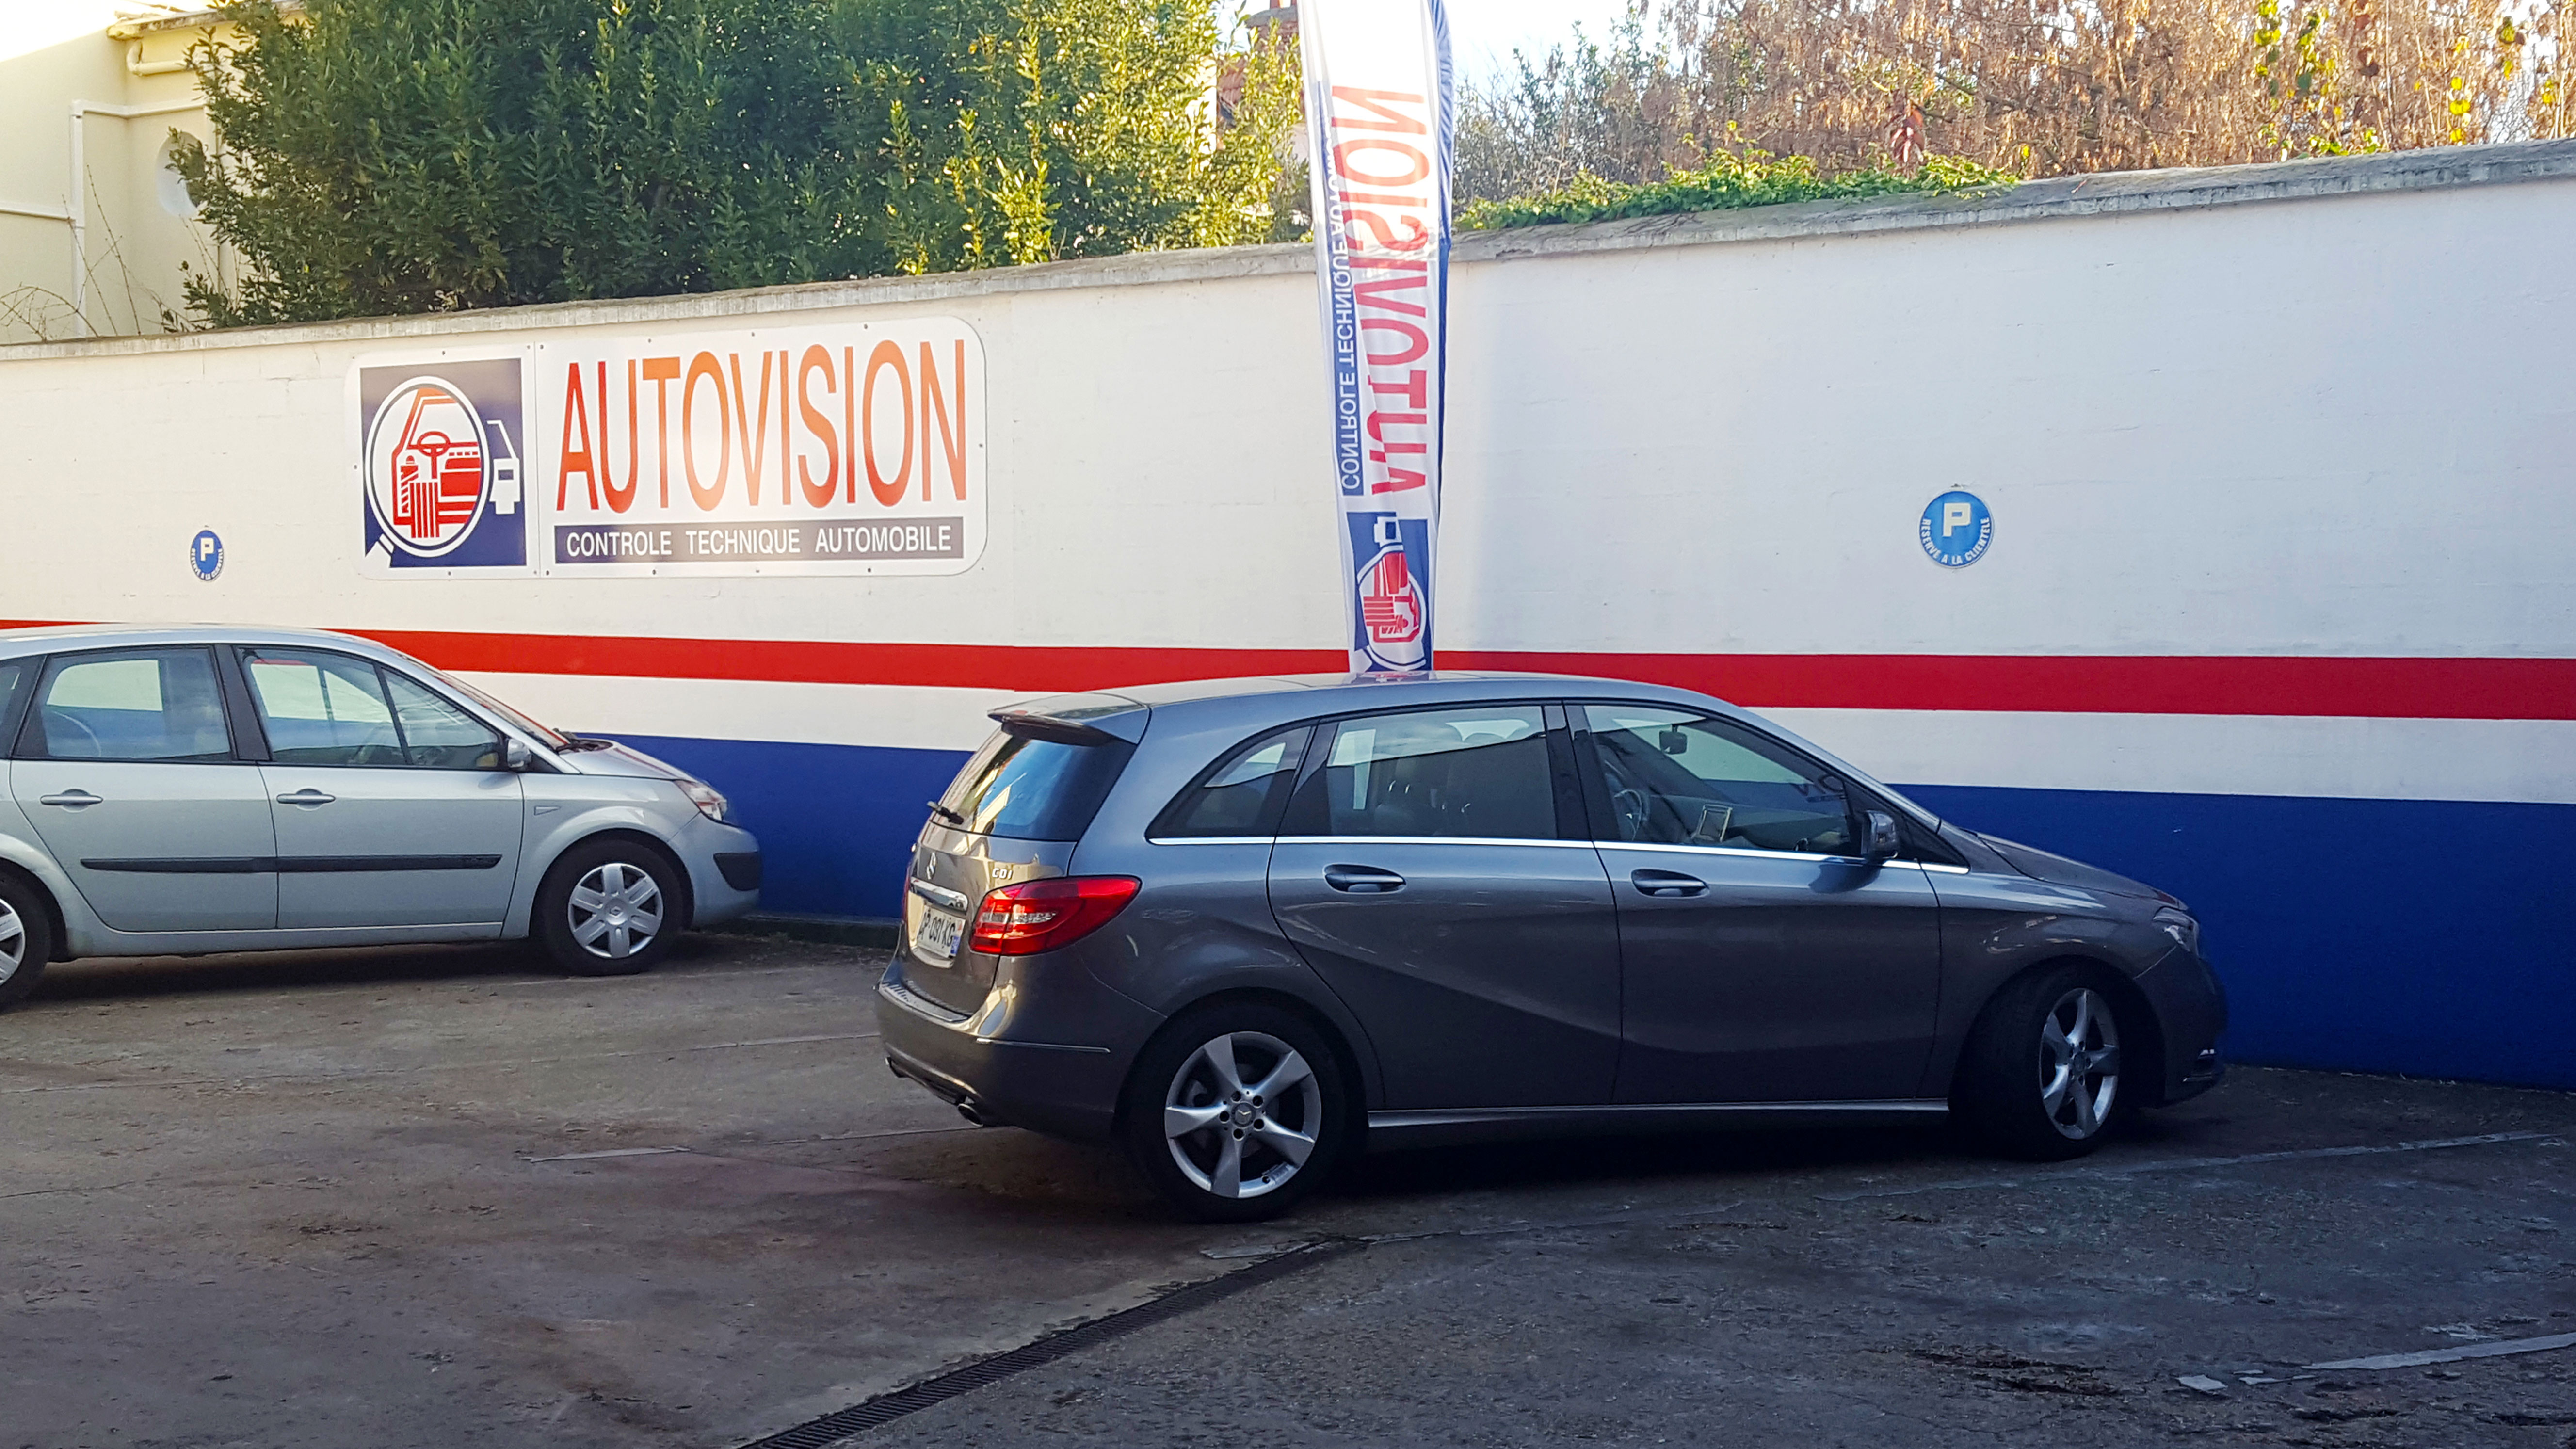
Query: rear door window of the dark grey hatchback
[1467, 772]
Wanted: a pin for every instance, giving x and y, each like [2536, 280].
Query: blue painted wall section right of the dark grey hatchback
[2366, 935]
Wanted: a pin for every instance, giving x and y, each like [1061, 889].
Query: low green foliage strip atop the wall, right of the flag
[1725, 184]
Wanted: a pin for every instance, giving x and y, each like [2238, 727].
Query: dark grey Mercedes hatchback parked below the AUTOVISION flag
[1251, 927]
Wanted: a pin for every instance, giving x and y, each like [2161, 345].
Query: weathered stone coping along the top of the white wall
[2106, 195]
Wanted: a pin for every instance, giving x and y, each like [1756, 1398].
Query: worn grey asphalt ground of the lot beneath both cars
[442, 1198]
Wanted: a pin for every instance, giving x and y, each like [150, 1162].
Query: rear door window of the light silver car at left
[140, 705]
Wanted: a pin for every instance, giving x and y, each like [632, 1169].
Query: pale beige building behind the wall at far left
[94, 223]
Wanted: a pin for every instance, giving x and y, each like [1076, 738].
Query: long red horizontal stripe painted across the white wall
[2052, 685]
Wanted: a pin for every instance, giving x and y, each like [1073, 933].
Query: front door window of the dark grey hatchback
[1686, 780]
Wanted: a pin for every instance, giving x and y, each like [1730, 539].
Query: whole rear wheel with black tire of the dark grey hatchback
[1282, 1094]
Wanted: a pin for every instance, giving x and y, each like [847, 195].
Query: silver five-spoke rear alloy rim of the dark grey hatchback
[1243, 1115]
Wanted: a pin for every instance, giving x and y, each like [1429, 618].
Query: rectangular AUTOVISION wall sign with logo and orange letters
[836, 450]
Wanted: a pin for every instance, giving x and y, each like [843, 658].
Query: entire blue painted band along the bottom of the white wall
[2361, 935]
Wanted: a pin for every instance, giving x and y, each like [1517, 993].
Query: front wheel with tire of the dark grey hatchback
[2041, 1071]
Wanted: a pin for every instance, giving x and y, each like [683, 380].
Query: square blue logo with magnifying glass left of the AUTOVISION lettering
[439, 465]
